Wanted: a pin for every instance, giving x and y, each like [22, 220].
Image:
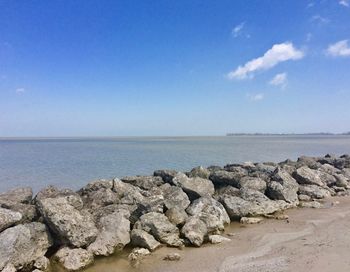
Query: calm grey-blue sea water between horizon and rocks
[73, 162]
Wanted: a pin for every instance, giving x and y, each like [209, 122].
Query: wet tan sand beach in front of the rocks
[313, 240]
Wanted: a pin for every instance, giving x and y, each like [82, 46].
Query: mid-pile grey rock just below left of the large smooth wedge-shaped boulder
[175, 197]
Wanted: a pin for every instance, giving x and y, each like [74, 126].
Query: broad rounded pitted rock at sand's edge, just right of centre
[211, 212]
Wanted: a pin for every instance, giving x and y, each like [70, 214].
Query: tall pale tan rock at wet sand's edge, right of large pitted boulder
[114, 233]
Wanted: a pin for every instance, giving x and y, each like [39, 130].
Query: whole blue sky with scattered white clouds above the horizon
[173, 68]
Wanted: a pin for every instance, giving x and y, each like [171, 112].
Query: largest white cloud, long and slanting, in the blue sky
[278, 53]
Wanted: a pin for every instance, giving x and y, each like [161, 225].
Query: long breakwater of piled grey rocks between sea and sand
[70, 229]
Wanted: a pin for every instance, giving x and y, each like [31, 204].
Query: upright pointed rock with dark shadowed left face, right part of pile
[283, 187]
